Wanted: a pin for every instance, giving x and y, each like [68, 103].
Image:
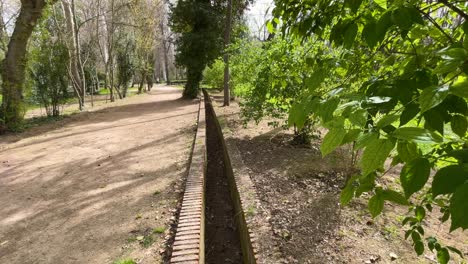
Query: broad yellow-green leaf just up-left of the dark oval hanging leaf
[375, 154]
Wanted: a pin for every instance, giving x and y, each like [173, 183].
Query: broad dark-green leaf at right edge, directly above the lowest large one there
[448, 179]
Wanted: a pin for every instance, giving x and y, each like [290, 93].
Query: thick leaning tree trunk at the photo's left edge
[14, 64]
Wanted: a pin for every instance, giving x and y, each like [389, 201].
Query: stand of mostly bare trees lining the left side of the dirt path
[109, 42]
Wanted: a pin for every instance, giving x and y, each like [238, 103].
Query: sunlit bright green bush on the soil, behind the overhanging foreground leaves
[271, 78]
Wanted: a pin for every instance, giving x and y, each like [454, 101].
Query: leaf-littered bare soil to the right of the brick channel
[300, 192]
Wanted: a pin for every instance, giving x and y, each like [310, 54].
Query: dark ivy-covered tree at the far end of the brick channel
[199, 24]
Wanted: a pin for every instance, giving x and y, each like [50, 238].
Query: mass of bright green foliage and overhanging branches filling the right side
[382, 74]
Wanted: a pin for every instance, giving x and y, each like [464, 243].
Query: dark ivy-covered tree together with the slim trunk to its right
[203, 33]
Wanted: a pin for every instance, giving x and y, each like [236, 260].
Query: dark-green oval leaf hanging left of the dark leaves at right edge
[414, 175]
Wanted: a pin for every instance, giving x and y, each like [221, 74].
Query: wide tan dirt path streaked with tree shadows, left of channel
[88, 189]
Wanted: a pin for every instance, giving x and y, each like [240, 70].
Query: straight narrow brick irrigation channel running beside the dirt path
[212, 226]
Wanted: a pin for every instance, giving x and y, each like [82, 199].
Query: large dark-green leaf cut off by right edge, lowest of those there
[459, 208]
